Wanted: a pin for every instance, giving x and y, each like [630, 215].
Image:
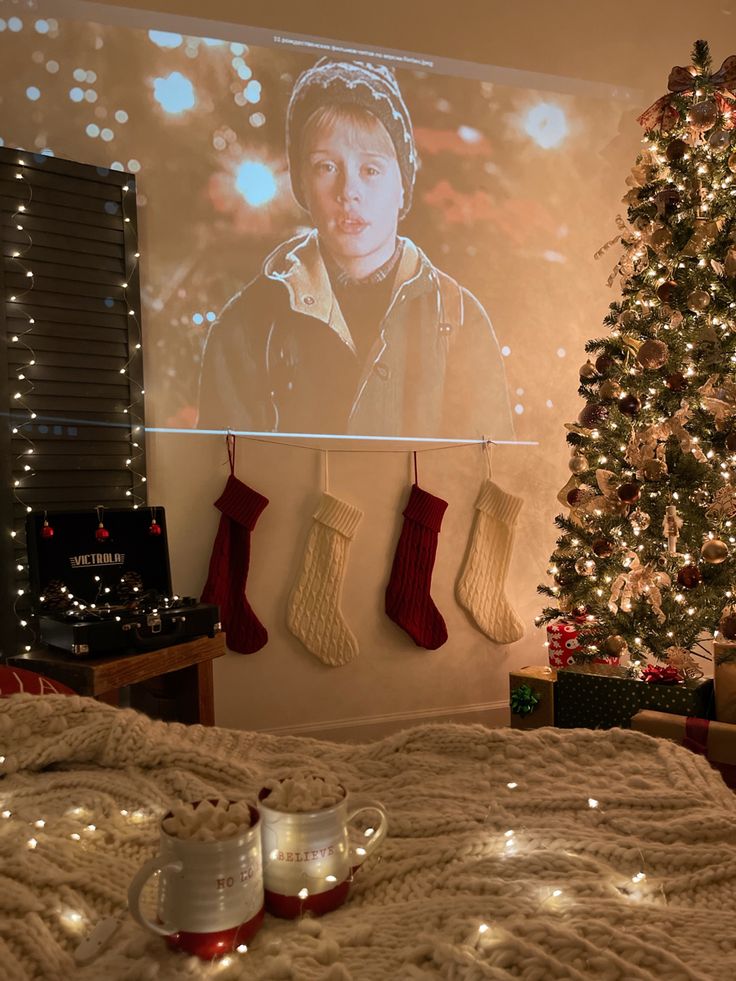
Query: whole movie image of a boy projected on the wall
[333, 243]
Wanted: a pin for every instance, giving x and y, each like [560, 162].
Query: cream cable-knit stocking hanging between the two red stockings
[314, 605]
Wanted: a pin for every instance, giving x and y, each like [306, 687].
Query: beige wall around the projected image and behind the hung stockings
[392, 682]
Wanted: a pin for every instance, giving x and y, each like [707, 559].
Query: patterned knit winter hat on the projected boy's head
[353, 83]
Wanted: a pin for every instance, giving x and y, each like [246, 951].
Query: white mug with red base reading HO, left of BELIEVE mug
[210, 893]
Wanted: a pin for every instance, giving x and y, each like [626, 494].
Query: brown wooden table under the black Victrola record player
[173, 682]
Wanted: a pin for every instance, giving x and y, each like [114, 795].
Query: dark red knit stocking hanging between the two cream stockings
[408, 602]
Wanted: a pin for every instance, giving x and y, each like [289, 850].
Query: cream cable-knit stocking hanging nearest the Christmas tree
[481, 586]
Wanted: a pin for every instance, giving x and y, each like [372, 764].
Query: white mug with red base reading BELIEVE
[308, 858]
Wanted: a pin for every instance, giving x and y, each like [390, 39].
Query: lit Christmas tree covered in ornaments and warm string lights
[646, 559]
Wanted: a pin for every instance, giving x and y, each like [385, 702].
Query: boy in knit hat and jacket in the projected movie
[350, 328]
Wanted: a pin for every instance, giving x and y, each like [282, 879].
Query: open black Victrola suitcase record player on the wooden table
[101, 583]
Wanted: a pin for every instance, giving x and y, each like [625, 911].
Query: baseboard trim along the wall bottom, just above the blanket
[365, 728]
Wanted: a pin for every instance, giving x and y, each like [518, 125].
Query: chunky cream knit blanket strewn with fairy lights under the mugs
[536, 855]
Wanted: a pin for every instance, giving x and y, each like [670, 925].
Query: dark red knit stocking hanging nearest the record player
[241, 506]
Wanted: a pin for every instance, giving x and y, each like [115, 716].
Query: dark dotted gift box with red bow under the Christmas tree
[597, 701]
